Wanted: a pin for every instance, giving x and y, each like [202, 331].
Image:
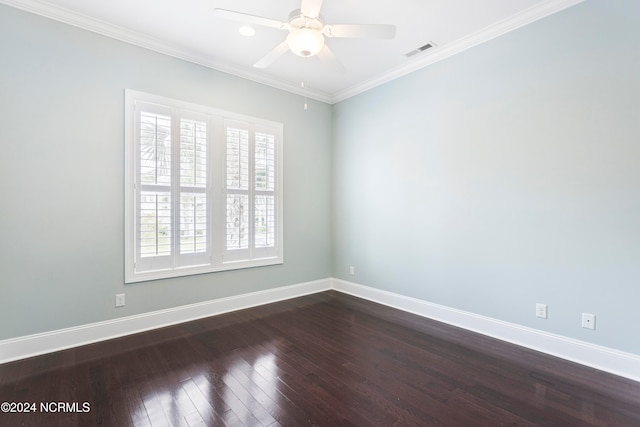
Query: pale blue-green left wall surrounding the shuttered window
[62, 167]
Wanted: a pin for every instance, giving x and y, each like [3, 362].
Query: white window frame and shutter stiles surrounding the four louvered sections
[218, 255]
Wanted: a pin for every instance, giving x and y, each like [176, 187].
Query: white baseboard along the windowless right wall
[603, 358]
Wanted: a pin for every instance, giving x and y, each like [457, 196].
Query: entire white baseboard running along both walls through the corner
[609, 360]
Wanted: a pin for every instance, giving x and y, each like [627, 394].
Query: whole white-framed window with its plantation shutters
[203, 189]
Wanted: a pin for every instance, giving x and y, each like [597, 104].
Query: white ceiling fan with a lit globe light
[307, 31]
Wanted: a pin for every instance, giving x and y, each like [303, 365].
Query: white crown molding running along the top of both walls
[521, 19]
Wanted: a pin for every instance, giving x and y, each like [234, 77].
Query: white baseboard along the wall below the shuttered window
[47, 342]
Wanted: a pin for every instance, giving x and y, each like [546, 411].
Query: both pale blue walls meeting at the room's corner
[501, 177]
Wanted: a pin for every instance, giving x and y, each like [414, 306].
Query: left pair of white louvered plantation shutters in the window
[172, 215]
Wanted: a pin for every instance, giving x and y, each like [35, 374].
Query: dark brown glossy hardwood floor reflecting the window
[325, 359]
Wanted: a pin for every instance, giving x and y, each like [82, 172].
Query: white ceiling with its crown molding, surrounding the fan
[187, 29]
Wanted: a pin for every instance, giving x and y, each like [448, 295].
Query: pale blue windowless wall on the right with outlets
[506, 175]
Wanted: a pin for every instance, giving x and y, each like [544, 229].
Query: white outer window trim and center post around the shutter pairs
[216, 188]
